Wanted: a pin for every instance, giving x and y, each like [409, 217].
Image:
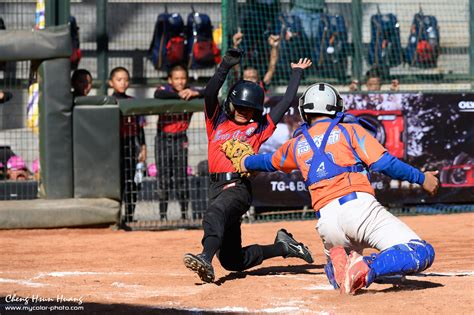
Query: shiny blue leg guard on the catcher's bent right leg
[403, 259]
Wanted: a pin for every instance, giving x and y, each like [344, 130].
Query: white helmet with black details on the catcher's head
[320, 98]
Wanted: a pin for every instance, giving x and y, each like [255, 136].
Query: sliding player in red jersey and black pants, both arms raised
[241, 118]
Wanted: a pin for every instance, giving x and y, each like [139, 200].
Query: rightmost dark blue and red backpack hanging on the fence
[423, 43]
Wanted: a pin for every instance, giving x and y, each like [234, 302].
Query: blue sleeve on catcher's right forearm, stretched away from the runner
[393, 167]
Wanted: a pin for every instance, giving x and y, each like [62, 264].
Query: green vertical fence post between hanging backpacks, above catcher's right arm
[357, 39]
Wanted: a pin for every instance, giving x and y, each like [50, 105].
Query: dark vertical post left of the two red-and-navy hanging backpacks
[102, 46]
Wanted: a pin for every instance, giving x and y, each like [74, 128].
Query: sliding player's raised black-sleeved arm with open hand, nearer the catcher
[280, 109]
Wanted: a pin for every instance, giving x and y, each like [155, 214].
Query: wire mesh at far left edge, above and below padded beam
[17, 174]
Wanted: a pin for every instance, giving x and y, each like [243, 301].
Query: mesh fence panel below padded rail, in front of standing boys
[173, 190]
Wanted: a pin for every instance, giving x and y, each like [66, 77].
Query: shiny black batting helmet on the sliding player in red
[246, 94]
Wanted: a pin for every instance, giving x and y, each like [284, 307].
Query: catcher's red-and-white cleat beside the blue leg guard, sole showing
[356, 274]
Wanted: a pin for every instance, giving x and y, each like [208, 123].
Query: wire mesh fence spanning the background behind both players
[423, 45]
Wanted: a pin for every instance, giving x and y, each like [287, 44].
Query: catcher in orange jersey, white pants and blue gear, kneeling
[334, 152]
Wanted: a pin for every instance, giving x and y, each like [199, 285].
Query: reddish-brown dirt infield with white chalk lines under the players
[117, 272]
